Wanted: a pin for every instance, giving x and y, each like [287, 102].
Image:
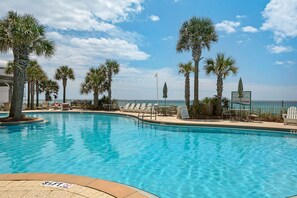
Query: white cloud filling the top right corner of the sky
[280, 18]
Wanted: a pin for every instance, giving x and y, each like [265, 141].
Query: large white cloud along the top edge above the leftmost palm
[77, 15]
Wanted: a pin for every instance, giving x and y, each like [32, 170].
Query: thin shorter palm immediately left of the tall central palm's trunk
[186, 69]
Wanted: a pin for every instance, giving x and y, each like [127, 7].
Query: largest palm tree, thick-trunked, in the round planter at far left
[24, 35]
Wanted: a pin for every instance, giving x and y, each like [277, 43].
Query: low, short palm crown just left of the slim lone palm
[50, 88]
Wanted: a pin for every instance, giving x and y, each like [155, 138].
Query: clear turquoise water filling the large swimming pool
[169, 161]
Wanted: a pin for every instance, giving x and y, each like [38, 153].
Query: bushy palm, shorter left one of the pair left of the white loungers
[95, 81]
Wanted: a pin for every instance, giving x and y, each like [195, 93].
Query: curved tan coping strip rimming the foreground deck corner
[111, 188]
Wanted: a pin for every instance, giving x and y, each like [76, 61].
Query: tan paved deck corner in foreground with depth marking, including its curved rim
[28, 185]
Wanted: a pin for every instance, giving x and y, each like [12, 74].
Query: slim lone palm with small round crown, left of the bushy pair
[64, 73]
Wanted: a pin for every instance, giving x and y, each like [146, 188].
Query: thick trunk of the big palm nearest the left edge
[19, 82]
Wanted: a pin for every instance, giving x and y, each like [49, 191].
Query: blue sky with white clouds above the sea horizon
[142, 36]
